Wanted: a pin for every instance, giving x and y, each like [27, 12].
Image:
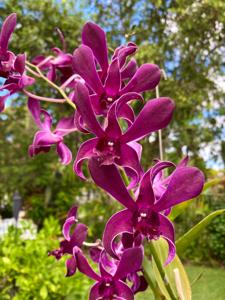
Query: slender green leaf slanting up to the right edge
[194, 232]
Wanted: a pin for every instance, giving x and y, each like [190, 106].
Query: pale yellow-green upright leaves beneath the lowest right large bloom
[175, 267]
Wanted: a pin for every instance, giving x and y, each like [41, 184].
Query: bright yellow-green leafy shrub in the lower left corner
[26, 271]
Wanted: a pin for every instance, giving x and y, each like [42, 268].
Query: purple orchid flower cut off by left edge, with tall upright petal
[7, 58]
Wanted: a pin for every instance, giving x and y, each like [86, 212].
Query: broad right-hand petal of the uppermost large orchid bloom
[146, 78]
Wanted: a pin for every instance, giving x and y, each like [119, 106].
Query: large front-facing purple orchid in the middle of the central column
[110, 145]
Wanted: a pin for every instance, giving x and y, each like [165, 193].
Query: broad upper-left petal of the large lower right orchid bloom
[109, 179]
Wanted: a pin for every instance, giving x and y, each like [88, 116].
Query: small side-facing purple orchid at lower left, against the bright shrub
[75, 239]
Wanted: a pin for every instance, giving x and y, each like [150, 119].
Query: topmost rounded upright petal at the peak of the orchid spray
[94, 37]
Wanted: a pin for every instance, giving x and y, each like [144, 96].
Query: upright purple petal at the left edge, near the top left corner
[8, 27]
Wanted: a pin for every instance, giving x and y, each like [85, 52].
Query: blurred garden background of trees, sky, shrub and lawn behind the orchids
[187, 40]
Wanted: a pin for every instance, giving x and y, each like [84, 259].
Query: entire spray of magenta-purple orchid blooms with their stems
[102, 90]
